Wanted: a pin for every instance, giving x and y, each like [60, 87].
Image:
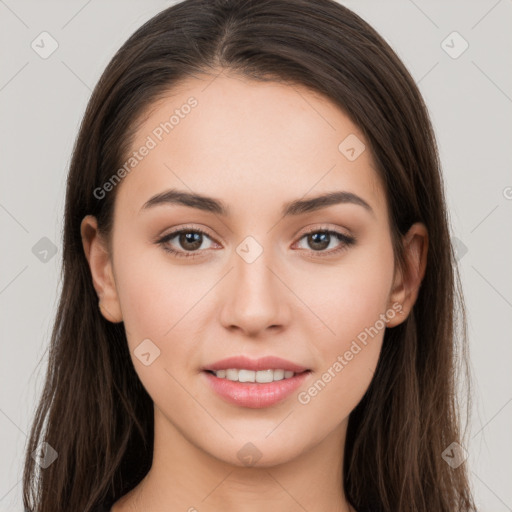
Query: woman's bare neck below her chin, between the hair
[184, 477]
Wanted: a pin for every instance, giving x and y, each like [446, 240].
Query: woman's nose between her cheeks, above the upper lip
[255, 298]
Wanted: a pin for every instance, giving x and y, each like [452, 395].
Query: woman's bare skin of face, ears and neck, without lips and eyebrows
[255, 146]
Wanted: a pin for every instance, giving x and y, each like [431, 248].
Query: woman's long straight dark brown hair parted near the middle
[95, 412]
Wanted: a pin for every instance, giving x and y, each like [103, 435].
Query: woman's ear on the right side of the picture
[407, 281]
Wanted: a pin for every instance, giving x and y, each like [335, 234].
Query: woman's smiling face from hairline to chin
[312, 283]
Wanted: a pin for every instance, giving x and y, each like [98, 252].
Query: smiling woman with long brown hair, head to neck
[259, 298]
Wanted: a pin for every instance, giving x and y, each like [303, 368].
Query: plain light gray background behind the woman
[470, 102]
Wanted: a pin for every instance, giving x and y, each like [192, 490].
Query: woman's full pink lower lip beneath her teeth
[252, 394]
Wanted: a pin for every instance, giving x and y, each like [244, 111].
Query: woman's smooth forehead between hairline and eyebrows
[253, 144]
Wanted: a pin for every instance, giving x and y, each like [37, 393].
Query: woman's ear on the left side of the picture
[100, 264]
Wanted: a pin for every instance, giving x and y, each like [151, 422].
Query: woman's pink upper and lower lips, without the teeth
[252, 394]
